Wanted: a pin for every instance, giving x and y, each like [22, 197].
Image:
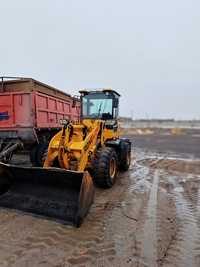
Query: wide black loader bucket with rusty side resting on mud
[51, 192]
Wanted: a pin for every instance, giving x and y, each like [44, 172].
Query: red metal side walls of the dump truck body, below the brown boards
[19, 109]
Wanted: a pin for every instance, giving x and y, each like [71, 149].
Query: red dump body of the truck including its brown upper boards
[28, 104]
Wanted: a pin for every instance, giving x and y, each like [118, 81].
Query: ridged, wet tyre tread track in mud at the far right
[184, 250]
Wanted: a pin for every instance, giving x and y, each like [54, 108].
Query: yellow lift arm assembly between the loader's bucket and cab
[66, 150]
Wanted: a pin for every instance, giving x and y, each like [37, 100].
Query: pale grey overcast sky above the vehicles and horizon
[148, 50]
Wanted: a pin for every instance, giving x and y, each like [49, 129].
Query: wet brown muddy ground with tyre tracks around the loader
[151, 218]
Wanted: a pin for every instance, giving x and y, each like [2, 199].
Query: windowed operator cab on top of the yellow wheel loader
[99, 105]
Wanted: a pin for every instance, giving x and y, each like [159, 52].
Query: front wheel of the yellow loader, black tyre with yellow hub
[105, 167]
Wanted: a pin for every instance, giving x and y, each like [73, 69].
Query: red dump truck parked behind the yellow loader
[30, 114]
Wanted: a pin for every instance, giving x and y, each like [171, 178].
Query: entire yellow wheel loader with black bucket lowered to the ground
[80, 155]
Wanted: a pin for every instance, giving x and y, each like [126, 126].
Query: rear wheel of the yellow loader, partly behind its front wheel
[125, 156]
